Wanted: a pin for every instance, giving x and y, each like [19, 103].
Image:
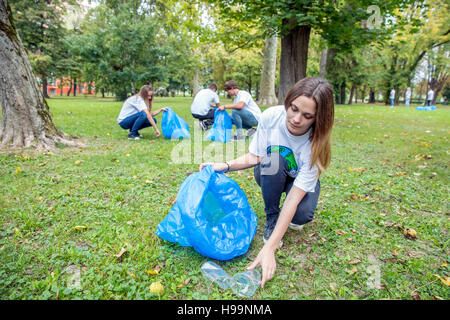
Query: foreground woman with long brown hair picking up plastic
[289, 151]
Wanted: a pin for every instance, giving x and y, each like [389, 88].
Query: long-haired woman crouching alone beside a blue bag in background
[136, 113]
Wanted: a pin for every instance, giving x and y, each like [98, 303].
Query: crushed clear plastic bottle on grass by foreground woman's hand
[243, 284]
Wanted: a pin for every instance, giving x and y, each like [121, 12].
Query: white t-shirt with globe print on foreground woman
[272, 135]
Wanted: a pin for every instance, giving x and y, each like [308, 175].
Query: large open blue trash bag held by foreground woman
[212, 215]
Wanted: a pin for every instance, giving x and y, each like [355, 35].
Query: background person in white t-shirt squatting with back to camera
[201, 106]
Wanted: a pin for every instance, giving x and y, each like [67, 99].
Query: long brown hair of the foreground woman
[321, 92]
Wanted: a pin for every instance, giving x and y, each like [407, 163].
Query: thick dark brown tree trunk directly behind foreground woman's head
[294, 57]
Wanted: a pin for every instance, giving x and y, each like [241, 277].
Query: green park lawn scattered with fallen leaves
[77, 208]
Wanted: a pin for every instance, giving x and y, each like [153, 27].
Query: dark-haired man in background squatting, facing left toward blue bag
[245, 112]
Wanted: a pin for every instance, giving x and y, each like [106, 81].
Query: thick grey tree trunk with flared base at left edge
[26, 118]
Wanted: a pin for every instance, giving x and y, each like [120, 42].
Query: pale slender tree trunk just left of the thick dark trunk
[268, 96]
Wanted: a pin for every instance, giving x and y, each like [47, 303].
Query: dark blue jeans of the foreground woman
[272, 176]
